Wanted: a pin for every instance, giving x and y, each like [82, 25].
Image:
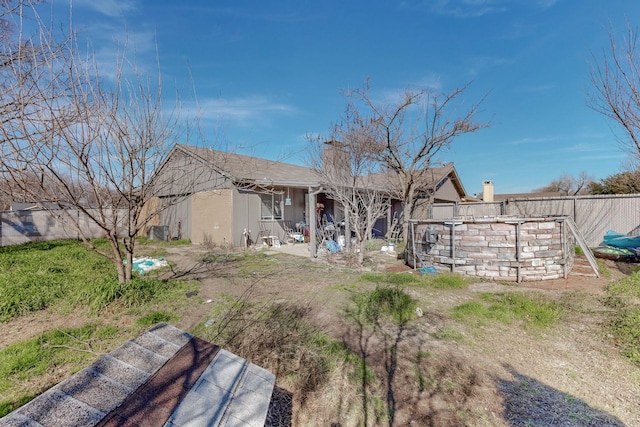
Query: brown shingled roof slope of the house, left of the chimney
[254, 170]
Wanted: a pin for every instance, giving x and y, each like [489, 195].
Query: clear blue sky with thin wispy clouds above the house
[268, 72]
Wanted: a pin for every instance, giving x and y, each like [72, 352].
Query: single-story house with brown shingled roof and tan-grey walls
[235, 198]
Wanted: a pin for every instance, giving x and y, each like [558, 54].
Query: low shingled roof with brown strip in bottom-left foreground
[164, 377]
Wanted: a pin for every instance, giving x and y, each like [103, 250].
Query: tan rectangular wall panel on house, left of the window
[212, 217]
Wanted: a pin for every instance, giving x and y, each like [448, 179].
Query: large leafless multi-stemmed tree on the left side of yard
[93, 145]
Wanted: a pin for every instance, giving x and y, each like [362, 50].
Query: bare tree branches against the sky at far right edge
[615, 79]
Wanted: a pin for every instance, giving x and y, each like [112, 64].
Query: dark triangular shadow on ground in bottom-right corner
[528, 402]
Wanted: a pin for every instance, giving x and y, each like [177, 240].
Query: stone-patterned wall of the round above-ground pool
[499, 248]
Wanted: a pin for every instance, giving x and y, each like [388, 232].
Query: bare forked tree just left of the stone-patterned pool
[406, 135]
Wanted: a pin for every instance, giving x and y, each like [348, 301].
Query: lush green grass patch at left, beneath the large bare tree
[36, 276]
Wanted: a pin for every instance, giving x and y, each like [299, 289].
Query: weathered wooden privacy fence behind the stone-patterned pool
[593, 215]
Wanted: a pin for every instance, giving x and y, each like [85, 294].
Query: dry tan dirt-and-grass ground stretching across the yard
[287, 314]
